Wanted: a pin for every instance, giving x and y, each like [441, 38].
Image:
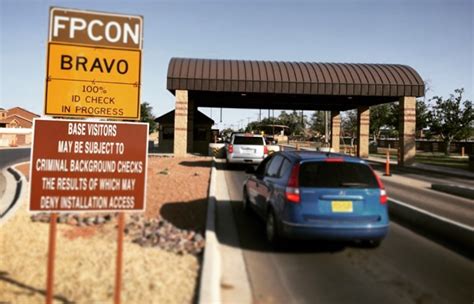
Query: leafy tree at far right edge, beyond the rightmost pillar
[451, 118]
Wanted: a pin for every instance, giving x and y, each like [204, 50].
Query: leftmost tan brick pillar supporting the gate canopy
[181, 123]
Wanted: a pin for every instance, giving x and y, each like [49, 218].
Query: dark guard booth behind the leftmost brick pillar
[201, 133]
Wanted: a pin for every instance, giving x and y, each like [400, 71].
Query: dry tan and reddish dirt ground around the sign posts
[177, 190]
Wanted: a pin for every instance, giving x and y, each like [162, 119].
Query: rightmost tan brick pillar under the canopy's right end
[407, 131]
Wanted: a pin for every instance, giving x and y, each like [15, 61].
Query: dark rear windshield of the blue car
[336, 175]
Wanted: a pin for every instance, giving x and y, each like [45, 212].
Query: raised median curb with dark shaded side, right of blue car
[452, 234]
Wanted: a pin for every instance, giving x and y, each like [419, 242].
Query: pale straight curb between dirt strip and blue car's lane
[209, 289]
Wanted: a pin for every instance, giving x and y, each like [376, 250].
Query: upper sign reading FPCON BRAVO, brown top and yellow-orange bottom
[94, 62]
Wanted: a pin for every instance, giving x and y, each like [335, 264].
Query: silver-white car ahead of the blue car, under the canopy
[246, 149]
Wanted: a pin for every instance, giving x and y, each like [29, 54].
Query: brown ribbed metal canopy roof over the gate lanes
[291, 85]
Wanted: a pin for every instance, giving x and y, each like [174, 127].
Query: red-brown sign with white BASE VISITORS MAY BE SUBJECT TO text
[83, 166]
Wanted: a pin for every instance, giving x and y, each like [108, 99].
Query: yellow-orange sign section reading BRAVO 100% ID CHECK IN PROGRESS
[86, 81]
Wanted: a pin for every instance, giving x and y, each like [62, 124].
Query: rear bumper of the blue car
[308, 232]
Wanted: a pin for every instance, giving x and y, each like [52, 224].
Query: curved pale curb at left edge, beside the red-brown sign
[16, 185]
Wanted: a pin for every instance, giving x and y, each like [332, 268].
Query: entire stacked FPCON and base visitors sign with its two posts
[93, 70]
